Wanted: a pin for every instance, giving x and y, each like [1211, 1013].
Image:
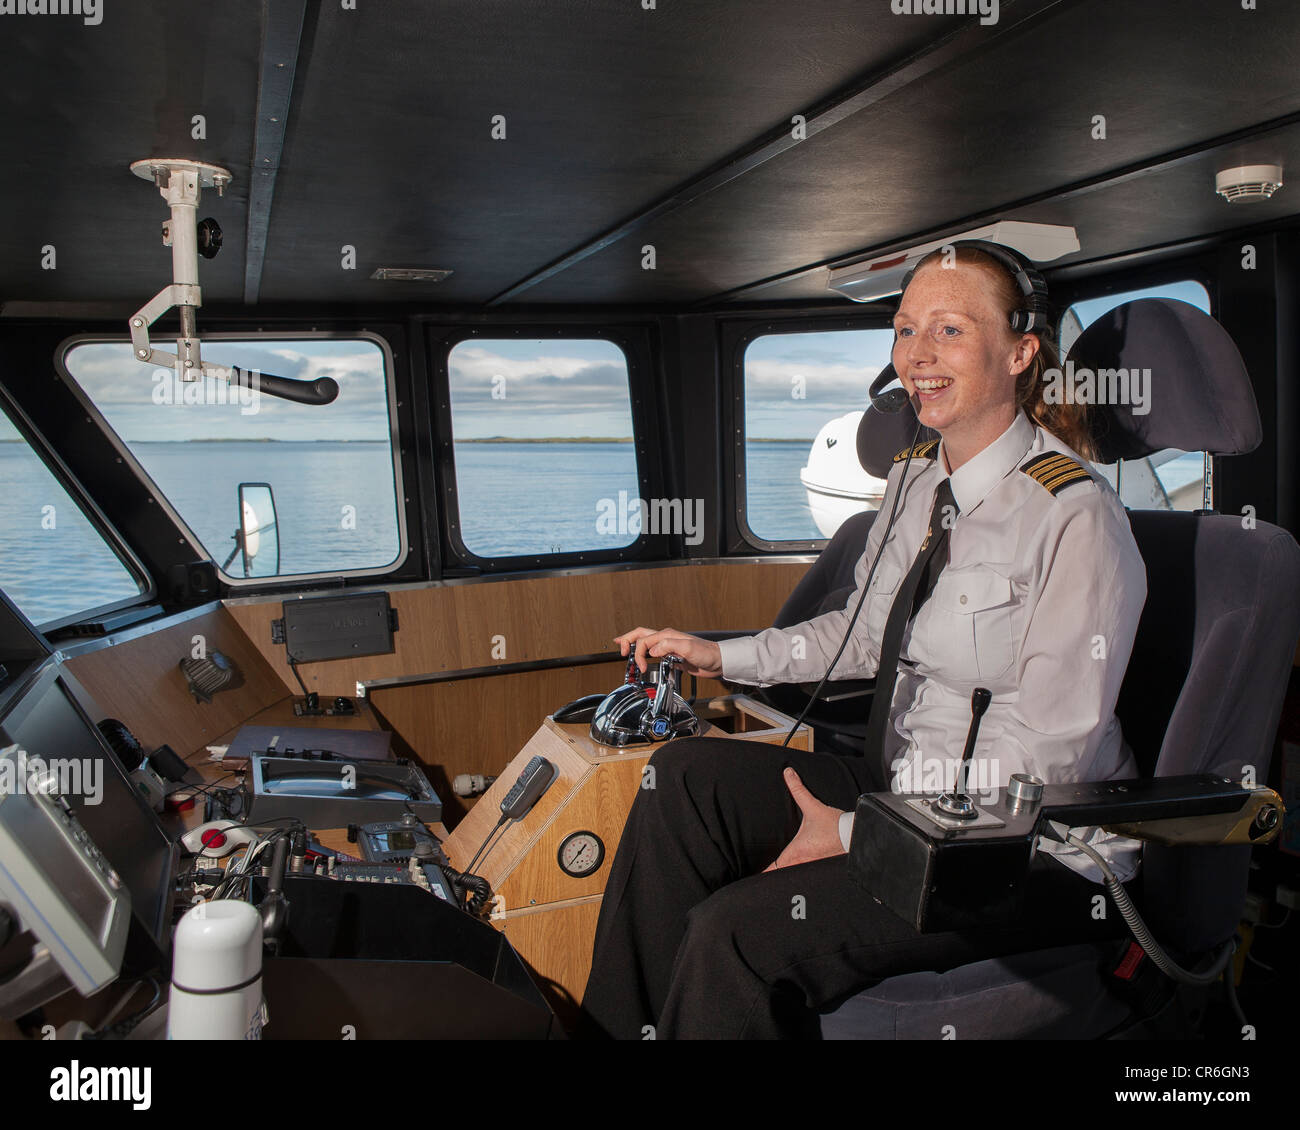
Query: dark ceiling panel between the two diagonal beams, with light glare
[972, 138]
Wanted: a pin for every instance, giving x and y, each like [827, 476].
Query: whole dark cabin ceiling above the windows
[625, 128]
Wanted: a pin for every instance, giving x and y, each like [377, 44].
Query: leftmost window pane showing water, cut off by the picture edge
[54, 564]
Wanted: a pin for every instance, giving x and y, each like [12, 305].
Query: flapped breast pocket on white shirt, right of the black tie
[976, 624]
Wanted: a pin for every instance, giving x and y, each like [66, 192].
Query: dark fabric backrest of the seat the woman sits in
[1204, 692]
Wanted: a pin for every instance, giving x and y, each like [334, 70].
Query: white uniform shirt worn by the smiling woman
[1039, 603]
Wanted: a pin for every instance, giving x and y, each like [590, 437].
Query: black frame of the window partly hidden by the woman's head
[738, 337]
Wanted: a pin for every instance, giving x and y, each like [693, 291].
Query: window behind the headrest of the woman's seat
[1171, 479]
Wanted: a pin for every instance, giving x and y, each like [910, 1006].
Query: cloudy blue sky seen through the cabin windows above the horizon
[525, 388]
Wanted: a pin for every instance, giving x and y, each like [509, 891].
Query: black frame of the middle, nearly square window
[636, 345]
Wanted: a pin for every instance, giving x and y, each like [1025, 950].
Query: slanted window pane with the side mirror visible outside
[332, 469]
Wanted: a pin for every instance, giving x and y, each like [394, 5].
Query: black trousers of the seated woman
[697, 943]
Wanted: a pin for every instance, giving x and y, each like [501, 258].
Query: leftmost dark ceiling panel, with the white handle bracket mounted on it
[83, 102]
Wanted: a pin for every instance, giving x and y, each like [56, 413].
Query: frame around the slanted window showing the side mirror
[127, 456]
